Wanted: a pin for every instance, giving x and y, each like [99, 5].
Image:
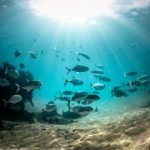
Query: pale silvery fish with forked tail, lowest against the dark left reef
[13, 100]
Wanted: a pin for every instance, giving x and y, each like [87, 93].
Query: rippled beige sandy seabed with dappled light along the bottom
[129, 132]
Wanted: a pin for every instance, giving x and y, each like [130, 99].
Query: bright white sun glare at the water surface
[75, 11]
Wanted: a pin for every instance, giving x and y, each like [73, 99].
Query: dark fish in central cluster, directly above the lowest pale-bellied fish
[79, 96]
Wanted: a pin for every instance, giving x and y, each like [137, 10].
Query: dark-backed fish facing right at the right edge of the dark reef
[31, 85]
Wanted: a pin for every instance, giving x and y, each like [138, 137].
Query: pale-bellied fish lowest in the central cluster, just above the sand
[83, 111]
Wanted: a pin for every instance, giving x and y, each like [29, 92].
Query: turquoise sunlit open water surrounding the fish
[119, 44]
